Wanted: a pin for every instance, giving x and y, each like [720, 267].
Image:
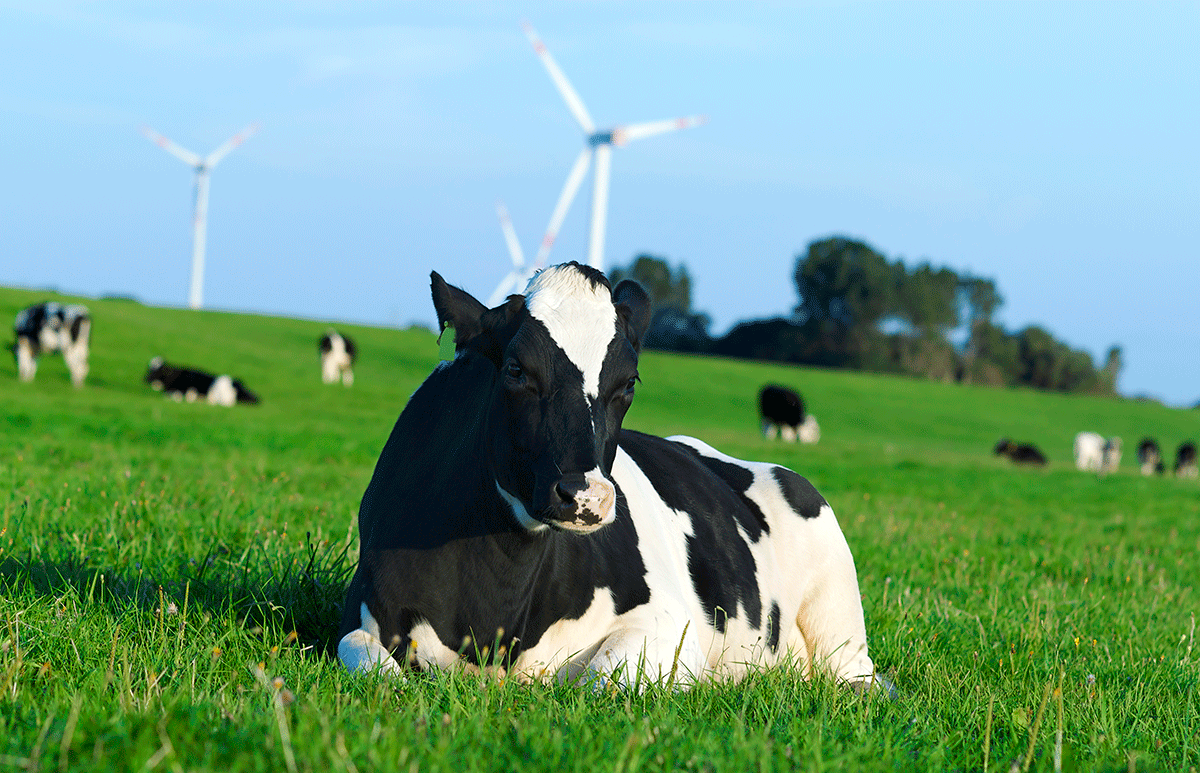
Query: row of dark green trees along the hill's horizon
[860, 310]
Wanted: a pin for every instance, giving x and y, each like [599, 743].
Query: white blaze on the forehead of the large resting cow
[580, 317]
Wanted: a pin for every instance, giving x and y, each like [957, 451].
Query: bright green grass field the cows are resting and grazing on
[172, 577]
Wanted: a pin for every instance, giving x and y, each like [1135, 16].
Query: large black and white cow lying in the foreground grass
[512, 522]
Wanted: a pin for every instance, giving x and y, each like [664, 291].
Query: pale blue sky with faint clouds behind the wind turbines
[1048, 146]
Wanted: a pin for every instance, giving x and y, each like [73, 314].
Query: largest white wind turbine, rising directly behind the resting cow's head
[599, 145]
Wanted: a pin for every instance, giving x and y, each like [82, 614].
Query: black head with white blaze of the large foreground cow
[566, 359]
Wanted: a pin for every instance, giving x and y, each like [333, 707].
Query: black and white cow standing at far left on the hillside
[52, 327]
